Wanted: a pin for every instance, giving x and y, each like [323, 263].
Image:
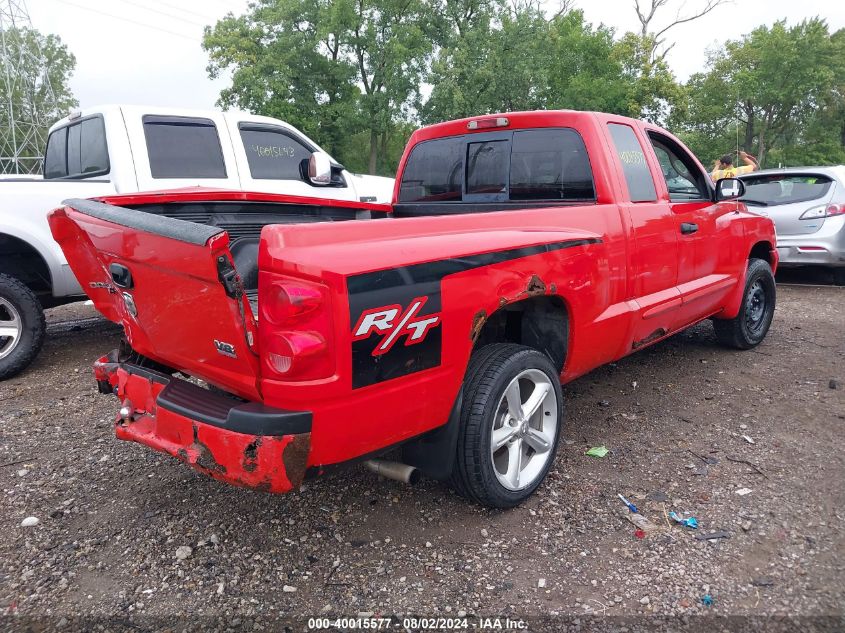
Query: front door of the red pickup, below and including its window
[701, 285]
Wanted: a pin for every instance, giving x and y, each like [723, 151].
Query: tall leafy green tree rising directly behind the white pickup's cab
[332, 68]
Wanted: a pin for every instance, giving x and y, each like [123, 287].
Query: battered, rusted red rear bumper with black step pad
[241, 443]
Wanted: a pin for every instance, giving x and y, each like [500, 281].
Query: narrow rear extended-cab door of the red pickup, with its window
[653, 253]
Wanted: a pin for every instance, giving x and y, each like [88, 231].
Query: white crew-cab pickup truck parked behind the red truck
[118, 149]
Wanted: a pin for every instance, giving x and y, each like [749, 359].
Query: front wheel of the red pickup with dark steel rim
[756, 311]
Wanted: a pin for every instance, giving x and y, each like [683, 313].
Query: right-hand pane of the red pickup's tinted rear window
[550, 165]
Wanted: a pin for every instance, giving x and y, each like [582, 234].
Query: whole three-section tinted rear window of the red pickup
[525, 165]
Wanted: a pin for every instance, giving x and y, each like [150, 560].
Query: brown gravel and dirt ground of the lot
[112, 514]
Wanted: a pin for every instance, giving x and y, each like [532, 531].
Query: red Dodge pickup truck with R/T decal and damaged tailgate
[269, 338]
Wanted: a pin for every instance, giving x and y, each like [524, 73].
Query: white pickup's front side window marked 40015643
[272, 153]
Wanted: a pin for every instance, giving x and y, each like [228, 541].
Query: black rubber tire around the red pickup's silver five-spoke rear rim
[491, 369]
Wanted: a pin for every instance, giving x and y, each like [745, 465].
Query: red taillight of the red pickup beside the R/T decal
[295, 328]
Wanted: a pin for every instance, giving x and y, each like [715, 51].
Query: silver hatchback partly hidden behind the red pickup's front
[807, 205]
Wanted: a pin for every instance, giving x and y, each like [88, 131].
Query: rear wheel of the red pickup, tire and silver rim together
[510, 425]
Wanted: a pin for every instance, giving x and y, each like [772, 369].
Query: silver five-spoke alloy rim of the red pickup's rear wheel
[524, 430]
